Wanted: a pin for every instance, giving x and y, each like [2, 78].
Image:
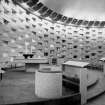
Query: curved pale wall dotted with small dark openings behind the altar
[50, 39]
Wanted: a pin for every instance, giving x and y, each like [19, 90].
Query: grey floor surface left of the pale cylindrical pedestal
[17, 87]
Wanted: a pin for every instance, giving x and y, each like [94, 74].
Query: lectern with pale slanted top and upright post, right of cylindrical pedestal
[78, 69]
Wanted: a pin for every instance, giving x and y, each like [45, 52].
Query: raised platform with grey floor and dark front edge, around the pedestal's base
[17, 88]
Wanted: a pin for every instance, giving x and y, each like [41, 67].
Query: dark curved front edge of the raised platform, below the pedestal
[64, 100]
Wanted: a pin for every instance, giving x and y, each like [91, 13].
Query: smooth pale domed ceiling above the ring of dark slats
[81, 9]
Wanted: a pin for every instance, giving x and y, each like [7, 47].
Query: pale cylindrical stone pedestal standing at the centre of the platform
[48, 84]
